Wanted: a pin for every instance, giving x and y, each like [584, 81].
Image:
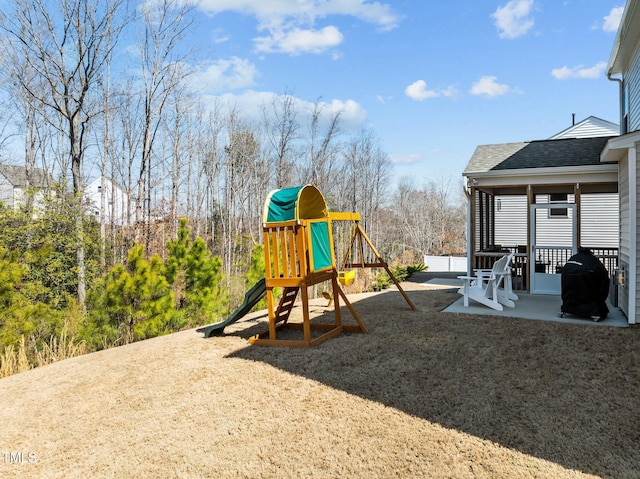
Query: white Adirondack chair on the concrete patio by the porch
[490, 287]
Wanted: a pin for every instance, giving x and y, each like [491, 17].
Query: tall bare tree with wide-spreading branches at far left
[65, 45]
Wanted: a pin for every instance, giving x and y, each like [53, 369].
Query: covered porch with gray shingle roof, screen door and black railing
[541, 201]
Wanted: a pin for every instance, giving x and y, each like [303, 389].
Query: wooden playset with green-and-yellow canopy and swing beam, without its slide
[299, 253]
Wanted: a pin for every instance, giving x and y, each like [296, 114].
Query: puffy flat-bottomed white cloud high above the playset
[297, 41]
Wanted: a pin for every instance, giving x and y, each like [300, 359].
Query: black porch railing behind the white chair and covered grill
[549, 260]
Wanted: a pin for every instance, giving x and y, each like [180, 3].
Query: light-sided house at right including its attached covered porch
[576, 166]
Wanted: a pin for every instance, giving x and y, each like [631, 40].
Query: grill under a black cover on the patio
[585, 286]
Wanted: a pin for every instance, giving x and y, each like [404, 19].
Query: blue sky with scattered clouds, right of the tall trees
[433, 79]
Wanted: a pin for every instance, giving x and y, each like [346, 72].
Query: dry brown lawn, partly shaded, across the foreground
[424, 394]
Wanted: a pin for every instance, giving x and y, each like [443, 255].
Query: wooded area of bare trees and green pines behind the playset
[103, 90]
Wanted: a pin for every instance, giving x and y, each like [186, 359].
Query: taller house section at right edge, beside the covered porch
[624, 152]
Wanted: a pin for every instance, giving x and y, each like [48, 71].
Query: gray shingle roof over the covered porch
[536, 154]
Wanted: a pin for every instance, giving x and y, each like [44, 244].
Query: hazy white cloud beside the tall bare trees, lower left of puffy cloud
[224, 75]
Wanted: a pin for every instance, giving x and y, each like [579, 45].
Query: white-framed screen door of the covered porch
[553, 241]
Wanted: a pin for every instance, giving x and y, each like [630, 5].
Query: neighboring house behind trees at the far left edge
[14, 184]
